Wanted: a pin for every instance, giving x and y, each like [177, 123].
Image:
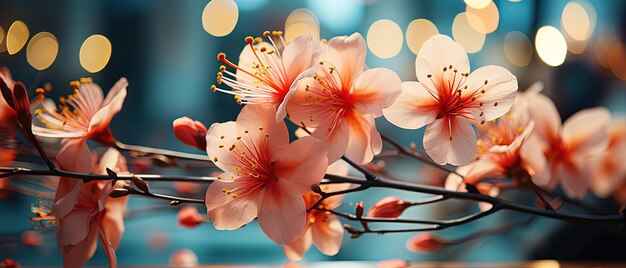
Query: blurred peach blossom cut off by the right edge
[609, 170]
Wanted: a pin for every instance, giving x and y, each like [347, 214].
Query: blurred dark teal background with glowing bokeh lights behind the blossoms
[167, 50]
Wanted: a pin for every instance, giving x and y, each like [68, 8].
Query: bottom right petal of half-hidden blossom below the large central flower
[327, 235]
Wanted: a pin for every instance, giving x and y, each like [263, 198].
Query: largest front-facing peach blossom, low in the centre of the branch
[264, 175]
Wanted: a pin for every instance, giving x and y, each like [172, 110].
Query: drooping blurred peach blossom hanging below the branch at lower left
[85, 213]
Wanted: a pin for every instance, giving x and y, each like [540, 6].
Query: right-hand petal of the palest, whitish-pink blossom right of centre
[500, 90]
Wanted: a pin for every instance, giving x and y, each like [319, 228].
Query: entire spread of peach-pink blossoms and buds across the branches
[475, 120]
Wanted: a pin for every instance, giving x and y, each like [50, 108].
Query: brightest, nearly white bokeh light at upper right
[551, 46]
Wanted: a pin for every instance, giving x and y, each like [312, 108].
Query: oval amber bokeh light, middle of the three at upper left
[42, 50]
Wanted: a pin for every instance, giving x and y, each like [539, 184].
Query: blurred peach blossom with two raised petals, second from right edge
[569, 147]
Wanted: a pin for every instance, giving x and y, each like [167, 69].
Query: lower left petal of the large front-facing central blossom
[228, 212]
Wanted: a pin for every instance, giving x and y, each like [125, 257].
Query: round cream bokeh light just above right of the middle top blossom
[384, 38]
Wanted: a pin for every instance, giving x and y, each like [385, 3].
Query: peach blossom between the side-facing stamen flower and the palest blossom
[342, 100]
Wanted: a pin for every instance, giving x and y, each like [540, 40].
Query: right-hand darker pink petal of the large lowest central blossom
[303, 163]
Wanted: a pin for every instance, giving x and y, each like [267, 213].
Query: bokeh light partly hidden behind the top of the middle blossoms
[301, 21]
